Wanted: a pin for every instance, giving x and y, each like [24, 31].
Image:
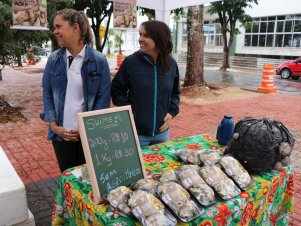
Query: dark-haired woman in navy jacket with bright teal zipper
[148, 80]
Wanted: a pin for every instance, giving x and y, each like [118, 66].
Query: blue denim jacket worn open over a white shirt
[96, 85]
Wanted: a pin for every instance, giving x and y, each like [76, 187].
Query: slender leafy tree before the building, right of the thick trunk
[229, 12]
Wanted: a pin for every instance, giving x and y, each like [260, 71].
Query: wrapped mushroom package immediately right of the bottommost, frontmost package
[178, 199]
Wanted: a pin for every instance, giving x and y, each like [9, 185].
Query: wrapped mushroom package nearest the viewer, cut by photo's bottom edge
[148, 209]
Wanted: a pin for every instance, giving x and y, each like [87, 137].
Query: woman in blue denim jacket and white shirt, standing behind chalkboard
[76, 79]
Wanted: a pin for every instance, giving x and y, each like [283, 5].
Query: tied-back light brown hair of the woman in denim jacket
[79, 17]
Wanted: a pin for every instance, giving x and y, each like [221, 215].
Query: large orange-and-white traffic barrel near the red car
[267, 82]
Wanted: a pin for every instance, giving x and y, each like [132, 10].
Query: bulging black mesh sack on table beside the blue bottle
[260, 144]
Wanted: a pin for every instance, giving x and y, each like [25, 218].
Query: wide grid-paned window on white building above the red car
[275, 31]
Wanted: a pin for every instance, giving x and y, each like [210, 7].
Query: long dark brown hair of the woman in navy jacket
[160, 33]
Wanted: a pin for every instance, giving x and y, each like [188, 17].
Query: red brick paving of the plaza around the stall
[33, 158]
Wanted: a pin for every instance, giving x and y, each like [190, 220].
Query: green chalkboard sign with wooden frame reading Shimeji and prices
[111, 149]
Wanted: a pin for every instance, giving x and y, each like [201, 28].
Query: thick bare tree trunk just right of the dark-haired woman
[195, 47]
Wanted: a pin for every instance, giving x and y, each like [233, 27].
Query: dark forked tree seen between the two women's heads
[98, 11]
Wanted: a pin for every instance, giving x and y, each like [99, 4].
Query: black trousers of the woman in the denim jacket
[68, 154]
